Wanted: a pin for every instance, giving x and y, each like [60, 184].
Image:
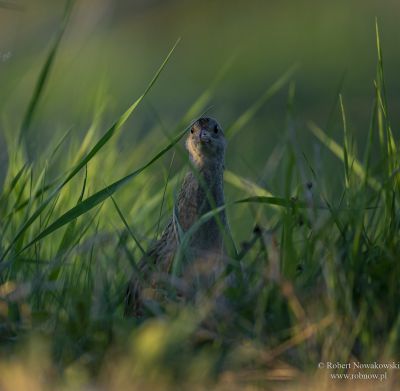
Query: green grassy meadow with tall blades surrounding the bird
[315, 222]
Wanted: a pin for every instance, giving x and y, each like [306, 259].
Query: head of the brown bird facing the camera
[206, 142]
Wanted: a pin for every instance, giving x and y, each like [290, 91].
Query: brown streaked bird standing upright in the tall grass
[201, 191]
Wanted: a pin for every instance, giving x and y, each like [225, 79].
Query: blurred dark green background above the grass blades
[111, 49]
